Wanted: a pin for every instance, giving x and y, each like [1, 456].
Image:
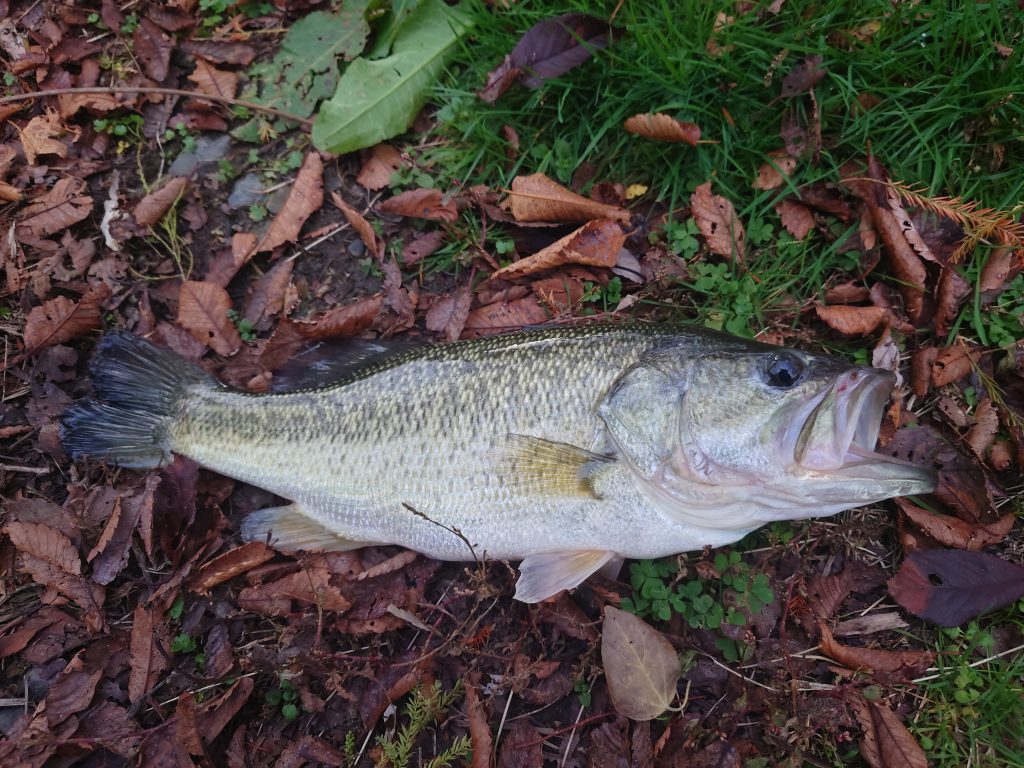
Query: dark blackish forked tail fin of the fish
[139, 389]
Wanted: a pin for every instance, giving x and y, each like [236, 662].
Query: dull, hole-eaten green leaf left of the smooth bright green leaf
[306, 70]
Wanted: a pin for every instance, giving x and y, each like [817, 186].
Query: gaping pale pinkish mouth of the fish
[837, 432]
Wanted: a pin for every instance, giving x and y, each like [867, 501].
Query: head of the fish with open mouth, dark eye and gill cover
[754, 435]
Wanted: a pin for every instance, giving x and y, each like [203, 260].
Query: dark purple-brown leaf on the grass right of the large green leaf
[554, 47]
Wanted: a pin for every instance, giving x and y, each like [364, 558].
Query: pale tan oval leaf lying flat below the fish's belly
[641, 666]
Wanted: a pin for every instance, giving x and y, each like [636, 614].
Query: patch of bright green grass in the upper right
[950, 117]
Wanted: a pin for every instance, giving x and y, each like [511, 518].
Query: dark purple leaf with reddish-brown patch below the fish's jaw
[950, 587]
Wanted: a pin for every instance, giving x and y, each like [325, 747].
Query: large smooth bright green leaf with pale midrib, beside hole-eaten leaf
[378, 100]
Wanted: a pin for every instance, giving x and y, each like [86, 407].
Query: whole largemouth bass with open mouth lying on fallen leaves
[569, 449]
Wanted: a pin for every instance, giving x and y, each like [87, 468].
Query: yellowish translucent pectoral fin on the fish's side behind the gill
[556, 468]
